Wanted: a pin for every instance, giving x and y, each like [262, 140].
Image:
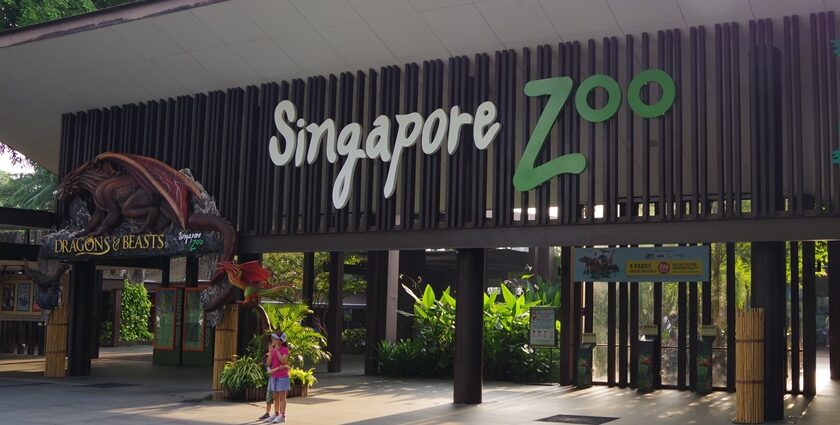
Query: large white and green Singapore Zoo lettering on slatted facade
[302, 141]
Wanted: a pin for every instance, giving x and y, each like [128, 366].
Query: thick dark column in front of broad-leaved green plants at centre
[469, 326]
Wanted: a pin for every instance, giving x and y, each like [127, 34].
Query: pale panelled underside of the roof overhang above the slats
[161, 49]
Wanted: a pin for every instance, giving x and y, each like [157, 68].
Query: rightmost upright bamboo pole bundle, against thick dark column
[749, 369]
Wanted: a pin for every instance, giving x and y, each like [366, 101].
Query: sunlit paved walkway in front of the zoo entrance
[126, 388]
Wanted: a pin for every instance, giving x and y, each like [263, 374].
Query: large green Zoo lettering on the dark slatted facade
[528, 175]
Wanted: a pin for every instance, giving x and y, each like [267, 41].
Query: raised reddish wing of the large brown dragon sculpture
[156, 177]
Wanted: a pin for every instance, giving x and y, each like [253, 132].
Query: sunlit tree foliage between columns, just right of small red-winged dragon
[287, 268]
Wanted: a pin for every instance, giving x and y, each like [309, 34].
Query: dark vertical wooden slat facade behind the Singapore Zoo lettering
[704, 160]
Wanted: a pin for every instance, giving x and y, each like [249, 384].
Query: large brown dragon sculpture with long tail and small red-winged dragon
[125, 186]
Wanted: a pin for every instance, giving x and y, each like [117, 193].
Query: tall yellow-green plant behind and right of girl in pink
[306, 345]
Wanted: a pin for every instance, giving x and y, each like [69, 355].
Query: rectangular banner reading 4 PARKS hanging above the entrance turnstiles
[659, 264]
